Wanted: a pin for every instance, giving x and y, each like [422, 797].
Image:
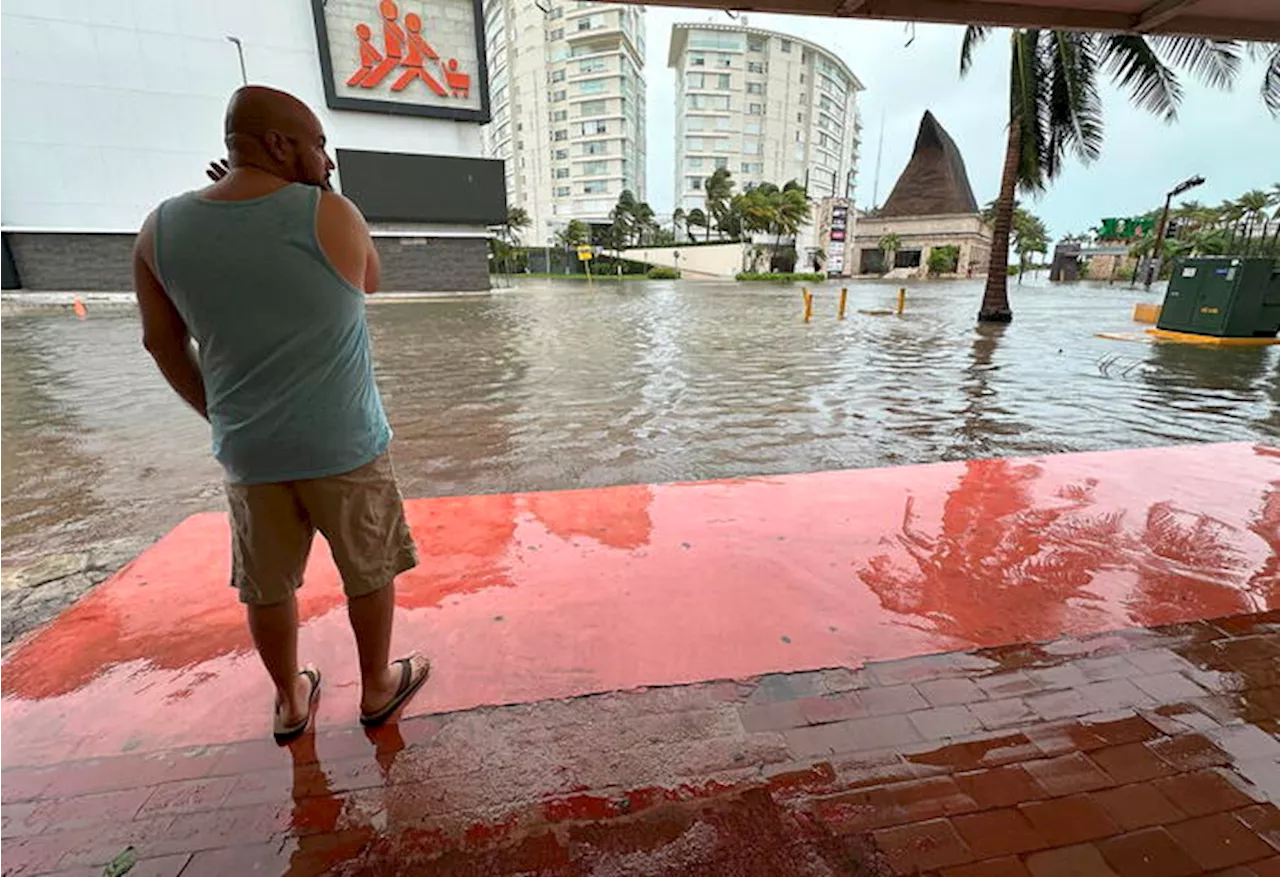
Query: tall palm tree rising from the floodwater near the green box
[1055, 109]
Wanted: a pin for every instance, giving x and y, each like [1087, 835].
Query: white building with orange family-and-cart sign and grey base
[109, 108]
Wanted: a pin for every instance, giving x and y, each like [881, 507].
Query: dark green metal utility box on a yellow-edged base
[1224, 296]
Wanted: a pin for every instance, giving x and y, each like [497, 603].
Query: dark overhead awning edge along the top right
[1240, 20]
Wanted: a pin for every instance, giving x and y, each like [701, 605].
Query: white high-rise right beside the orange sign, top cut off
[568, 94]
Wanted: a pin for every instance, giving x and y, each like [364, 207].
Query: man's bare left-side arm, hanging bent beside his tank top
[164, 335]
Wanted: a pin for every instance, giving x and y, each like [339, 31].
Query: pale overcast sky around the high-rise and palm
[1229, 139]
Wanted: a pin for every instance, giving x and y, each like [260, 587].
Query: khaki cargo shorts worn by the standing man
[360, 514]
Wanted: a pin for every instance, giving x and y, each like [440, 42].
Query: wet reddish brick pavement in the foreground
[1137, 753]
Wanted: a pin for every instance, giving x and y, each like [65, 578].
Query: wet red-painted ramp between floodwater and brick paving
[541, 596]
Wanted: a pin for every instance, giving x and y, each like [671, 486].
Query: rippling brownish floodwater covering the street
[552, 386]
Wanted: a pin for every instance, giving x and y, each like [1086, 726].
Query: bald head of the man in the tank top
[276, 133]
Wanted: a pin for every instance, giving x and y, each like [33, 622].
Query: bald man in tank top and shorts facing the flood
[266, 271]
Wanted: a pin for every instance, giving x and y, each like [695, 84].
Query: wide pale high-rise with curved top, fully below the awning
[770, 107]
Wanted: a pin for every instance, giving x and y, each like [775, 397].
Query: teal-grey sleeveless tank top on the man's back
[284, 340]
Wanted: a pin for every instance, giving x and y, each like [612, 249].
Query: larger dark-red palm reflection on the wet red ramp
[1000, 564]
